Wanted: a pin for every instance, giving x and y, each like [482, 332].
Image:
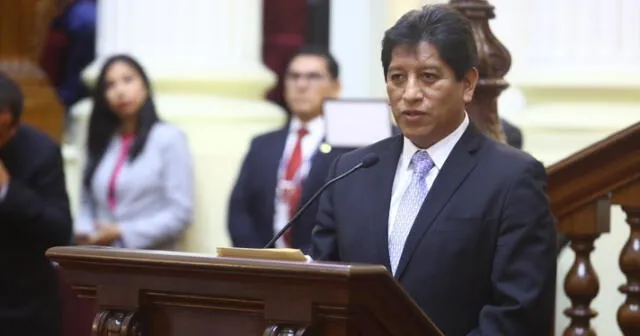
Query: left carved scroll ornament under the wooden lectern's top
[116, 323]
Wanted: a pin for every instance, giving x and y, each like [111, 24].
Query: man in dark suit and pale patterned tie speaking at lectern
[461, 221]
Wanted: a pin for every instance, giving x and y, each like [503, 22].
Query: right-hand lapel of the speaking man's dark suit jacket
[457, 167]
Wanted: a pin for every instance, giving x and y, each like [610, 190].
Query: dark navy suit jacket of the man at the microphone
[480, 257]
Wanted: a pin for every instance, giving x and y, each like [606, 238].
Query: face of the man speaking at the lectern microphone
[427, 100]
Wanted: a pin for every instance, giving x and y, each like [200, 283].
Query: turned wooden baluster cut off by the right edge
[629, 312]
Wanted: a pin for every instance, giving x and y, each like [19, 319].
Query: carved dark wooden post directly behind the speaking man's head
[494, 63]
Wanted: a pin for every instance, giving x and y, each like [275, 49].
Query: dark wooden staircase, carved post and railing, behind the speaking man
[582, 188]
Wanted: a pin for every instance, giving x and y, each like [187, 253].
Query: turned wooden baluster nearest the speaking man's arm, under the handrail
[581, 284]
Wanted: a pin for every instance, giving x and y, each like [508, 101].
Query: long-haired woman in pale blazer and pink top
[138, 182]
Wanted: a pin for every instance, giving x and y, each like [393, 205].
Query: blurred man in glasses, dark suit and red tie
[284, 168]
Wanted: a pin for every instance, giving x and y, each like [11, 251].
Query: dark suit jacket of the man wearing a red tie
[252, 204]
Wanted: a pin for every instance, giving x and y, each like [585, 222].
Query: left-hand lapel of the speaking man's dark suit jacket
[382, 184]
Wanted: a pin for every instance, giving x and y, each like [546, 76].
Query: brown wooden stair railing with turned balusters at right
[582, 189]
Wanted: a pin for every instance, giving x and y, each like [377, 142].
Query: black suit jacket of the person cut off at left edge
[34, 216]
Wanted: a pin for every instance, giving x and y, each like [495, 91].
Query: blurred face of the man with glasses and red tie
[307, 84]
